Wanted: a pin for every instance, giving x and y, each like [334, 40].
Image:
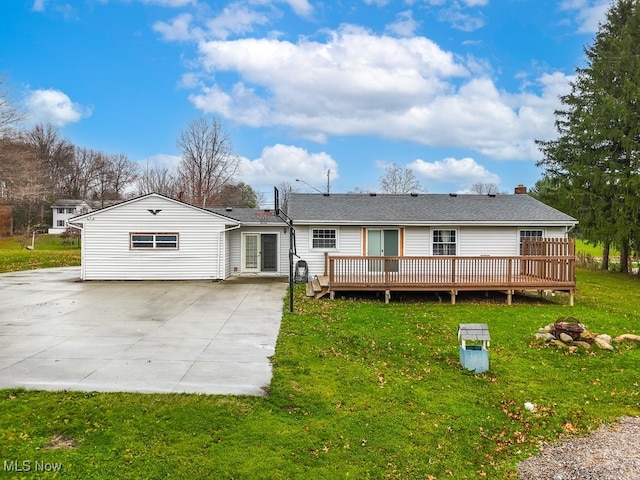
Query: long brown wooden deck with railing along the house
[452, 273]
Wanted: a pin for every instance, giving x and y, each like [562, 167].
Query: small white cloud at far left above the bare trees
[55, 107]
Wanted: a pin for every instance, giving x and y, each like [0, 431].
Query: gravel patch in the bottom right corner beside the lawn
[610, 453]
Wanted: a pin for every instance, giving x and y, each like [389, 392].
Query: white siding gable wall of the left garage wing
[106, 252]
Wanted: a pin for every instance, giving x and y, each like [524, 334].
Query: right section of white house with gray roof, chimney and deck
[433, 242]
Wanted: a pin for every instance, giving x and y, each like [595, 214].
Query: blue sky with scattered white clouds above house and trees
[456, 90]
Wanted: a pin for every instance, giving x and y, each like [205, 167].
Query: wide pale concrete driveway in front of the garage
[58, 333]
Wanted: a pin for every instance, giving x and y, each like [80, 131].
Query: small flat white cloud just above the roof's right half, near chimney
[463, 172]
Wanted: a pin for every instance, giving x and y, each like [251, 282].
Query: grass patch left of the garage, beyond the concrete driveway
[49, 251]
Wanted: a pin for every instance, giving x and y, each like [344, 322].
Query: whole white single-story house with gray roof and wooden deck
[382, 242]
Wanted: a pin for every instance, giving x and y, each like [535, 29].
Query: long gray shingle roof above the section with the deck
[423, 209]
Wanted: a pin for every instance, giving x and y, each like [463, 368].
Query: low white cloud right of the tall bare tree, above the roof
[284, 163]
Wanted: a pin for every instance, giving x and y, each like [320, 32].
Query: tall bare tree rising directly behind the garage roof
[207, 163]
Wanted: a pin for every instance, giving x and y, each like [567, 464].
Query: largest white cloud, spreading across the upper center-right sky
[358, 83]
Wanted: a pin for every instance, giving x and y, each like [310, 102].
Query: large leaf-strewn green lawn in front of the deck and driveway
[361, 390]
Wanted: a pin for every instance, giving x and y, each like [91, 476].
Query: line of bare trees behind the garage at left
[39, 166]
